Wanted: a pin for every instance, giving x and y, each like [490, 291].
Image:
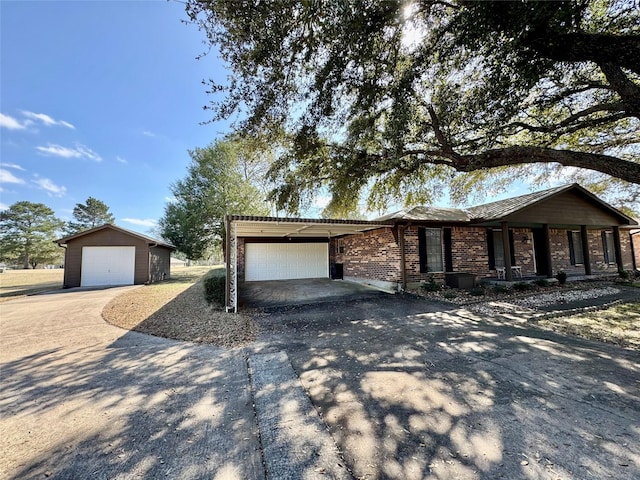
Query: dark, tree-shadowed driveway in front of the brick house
[413, 390]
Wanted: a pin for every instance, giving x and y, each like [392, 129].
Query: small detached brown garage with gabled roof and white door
[111, 255]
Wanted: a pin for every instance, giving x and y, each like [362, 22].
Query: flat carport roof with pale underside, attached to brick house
[286, 227]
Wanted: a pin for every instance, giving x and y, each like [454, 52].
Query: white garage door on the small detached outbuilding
[107, 266]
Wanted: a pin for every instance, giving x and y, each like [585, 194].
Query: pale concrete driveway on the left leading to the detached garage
[83, 399]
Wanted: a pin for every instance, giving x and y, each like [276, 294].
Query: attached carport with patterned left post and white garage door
[274, 248]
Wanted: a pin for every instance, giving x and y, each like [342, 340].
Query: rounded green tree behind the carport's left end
[214, 186]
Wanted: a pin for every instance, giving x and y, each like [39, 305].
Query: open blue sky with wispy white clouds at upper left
[100, 99]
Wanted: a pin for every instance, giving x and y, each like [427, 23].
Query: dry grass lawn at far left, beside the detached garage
[16, 283]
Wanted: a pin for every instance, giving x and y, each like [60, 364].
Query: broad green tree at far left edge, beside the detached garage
[27, 233]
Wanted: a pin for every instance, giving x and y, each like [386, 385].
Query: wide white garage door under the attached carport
[281, 261]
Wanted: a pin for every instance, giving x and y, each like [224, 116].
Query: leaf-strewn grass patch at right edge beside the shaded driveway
[619, 324]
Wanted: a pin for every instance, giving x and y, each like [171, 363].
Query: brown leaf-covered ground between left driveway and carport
[177, 309]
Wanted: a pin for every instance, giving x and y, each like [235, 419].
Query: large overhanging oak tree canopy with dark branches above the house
[403, 99]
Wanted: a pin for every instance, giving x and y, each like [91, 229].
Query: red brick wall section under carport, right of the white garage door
[373, 255]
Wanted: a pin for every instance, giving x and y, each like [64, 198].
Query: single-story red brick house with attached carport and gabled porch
[565, 228]
